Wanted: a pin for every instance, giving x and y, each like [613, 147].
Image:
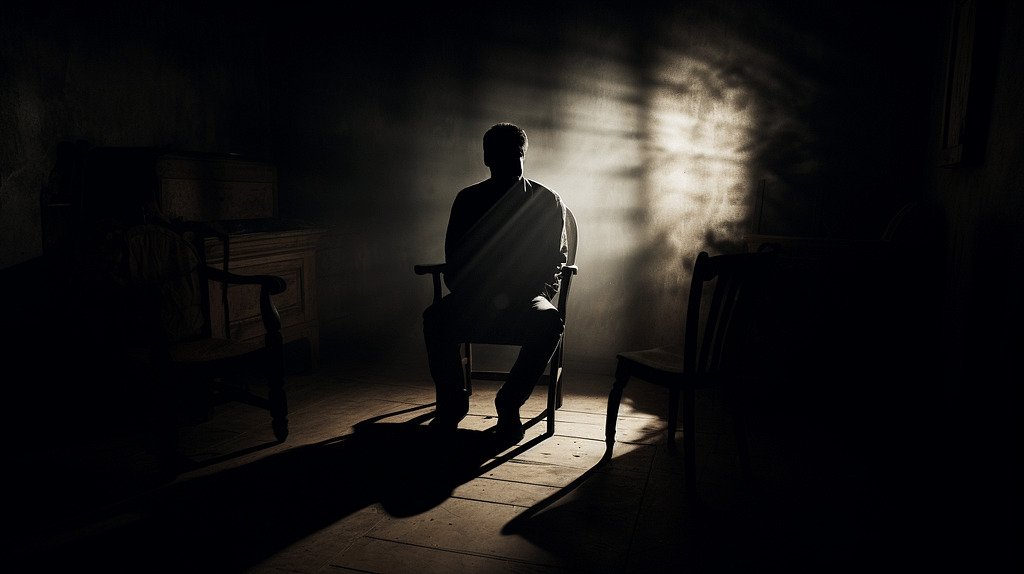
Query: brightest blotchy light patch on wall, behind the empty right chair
[695, 192]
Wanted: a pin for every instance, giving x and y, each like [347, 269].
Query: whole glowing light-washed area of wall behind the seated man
[651, 154]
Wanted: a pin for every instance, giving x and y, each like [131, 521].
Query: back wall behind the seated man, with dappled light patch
[655, 127]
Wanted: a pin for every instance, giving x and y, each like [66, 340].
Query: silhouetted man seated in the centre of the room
[505, 248]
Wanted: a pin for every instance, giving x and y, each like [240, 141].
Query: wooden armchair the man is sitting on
[554, 378]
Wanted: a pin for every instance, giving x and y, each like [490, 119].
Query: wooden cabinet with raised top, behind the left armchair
[239, 196]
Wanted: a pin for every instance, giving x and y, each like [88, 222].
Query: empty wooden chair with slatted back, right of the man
[705, 360]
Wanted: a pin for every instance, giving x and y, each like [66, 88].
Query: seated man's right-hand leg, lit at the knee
[543, 328]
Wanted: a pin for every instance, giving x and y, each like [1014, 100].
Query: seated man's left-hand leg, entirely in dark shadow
[446, 364]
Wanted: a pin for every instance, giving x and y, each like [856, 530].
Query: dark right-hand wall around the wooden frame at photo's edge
[978, 321]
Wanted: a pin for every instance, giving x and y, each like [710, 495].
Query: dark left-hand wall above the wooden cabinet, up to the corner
[141, 74]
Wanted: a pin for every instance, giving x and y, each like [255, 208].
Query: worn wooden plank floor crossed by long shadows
[362, 485]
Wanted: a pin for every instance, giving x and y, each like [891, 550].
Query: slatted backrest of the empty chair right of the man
[728, 320]
